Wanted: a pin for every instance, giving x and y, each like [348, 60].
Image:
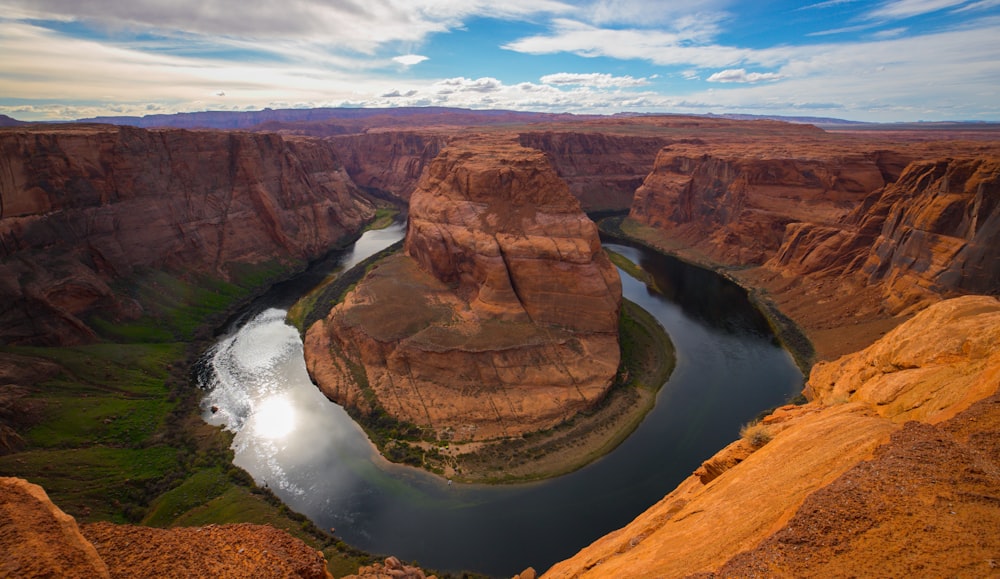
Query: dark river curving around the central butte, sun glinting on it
[313, 456]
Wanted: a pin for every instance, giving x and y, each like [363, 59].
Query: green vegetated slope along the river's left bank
[113, 431]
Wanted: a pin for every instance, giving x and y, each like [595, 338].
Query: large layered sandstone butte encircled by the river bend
[501, 317]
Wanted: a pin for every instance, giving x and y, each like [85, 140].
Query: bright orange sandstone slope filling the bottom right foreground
[842, 483]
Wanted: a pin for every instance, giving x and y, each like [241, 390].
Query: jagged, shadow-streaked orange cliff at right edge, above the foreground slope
[933, 233]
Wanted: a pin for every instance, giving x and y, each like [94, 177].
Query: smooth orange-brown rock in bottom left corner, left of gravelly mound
[37, 539]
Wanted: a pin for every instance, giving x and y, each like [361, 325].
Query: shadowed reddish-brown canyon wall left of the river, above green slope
[84, 207]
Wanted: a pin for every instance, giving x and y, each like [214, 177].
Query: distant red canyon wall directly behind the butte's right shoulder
[602, 170]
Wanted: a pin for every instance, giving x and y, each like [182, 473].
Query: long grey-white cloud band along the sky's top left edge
[361, 26]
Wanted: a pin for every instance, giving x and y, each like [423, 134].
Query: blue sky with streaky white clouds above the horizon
[877, 60]
